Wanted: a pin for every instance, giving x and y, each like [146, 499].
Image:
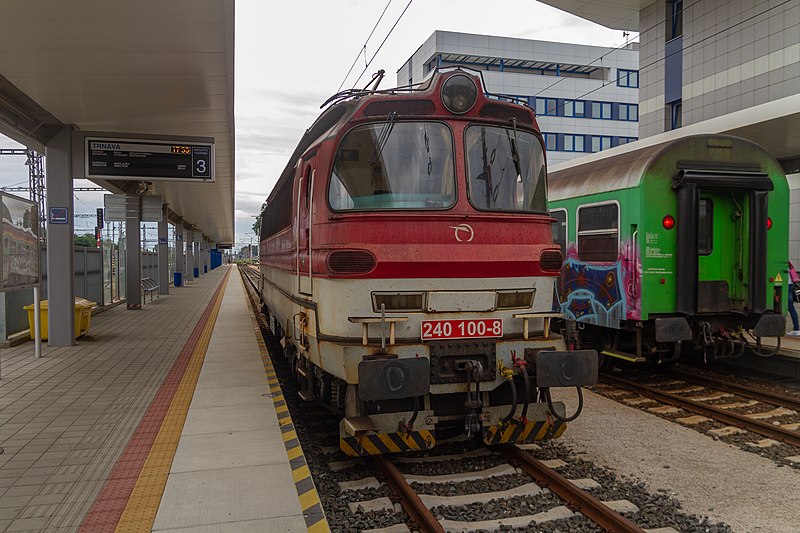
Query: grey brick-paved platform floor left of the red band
[66, 418]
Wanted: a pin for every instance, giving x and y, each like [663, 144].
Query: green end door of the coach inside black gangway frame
[721, 227]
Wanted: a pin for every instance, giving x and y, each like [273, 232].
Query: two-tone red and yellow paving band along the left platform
[130, 498]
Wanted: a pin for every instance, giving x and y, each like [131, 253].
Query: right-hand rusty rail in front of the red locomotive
[577, 499]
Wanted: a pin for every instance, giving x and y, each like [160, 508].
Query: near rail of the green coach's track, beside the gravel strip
[739, 420]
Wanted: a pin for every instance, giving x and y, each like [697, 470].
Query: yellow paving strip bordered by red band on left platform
[140, 511]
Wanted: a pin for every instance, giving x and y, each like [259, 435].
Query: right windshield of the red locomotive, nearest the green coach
[506, 170]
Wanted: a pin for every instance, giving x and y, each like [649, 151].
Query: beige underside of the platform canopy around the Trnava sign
[149, 66]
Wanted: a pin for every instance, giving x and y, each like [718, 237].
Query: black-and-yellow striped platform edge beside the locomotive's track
[306, 490]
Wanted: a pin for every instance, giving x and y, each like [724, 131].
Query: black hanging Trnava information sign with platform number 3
[144, 159]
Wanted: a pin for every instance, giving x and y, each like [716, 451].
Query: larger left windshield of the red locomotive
[394, 165]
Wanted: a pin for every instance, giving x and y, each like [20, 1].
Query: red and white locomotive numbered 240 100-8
[407, 264]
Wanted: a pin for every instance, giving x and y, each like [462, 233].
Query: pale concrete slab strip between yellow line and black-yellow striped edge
[231, 471]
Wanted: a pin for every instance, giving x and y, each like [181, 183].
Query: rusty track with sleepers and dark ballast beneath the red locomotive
[458, 491]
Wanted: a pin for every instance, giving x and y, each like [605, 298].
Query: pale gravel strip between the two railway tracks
[709, 477]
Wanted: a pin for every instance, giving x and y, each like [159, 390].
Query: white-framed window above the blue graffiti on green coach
[598, 233]
